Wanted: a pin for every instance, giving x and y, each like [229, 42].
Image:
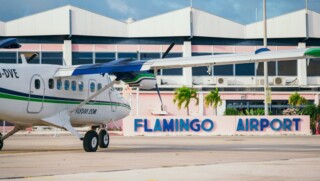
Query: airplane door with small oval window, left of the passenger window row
[36, 94]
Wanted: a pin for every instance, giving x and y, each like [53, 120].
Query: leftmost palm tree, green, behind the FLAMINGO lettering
[184, 95]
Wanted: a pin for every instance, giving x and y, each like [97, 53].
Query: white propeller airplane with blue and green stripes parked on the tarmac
[83, 95]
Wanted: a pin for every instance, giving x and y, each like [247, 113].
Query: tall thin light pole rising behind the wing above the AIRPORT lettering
[265, 64]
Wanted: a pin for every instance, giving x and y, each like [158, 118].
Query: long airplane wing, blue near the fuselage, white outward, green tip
[125, 65]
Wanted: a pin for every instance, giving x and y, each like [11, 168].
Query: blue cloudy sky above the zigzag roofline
[241, 11]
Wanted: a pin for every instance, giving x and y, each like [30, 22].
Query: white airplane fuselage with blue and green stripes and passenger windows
[29, 93]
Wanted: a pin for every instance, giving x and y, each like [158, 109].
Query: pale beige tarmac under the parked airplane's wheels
[45, 157]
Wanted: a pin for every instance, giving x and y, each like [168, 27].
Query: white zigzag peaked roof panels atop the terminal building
[184, 22]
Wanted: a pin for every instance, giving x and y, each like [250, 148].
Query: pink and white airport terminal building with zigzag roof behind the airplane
[70, 35]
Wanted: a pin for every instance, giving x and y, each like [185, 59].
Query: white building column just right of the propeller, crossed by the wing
[187, 72]
